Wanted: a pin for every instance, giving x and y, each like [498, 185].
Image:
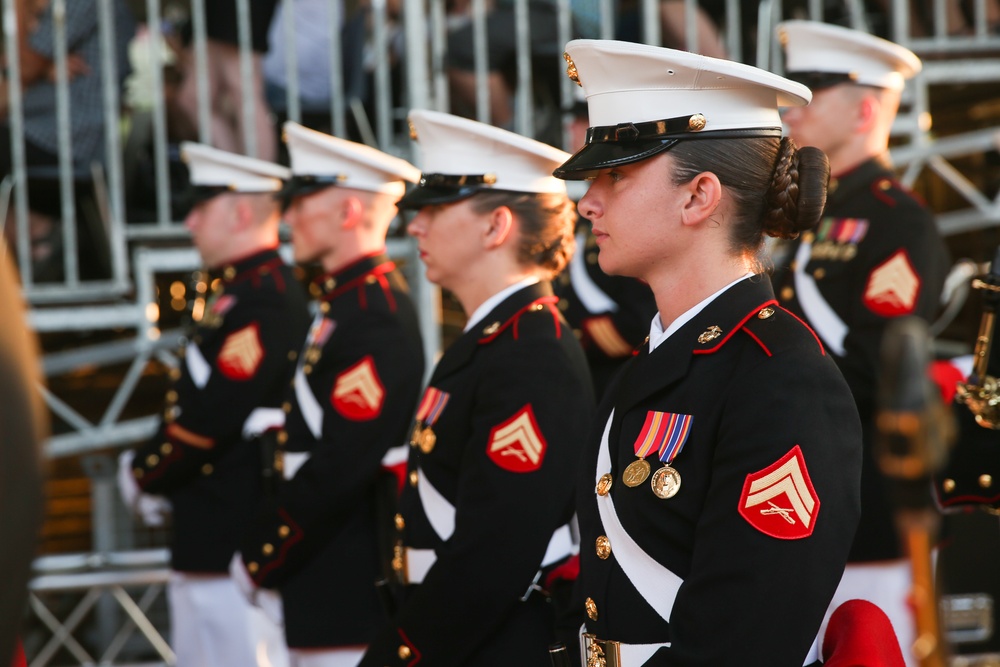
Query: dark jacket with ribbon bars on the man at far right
[871, 224]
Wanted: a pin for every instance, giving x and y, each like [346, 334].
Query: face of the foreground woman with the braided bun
[631, 209]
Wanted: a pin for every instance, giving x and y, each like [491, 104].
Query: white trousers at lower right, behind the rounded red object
[886, 584]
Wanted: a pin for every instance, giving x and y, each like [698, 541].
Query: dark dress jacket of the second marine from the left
[357, 381]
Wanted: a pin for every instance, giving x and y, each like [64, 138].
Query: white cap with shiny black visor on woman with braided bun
[643, 99]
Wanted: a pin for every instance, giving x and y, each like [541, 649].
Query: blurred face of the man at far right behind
[826, 122]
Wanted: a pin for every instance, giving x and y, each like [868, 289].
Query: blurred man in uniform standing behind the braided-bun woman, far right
[875, 256]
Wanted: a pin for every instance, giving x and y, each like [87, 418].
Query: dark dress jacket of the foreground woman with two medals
[757, 576]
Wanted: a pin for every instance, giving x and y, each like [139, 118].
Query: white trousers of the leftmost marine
[213, 625]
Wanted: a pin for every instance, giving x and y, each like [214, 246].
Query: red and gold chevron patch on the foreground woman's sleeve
[780, 500]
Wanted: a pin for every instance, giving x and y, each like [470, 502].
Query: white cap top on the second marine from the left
[353, 164]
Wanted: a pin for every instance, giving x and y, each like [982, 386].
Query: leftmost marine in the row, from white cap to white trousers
[211, 452]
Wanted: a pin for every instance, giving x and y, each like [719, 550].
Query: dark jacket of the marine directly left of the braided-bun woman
[520, 364]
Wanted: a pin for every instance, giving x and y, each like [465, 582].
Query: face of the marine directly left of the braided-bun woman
[449, 240]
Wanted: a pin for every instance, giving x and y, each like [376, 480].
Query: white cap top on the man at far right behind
[814, 47]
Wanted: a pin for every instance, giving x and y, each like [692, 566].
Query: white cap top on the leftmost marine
[211, 167]
